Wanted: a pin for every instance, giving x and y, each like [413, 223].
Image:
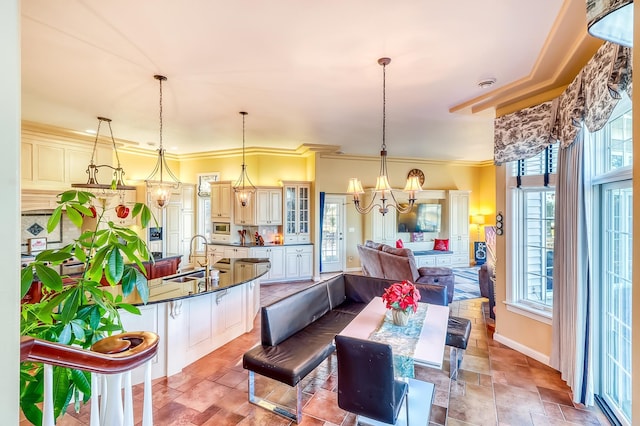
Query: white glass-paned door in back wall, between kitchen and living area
[332, 248]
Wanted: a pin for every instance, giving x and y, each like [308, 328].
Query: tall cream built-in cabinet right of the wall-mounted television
[458, 207]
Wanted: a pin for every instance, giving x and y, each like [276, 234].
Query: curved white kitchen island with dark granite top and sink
[193, 317]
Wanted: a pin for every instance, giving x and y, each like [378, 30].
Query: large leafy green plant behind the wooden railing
[80, 310]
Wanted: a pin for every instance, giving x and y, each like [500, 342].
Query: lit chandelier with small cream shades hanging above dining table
[383, 190]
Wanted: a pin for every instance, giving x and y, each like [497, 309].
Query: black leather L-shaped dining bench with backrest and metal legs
[297, 332]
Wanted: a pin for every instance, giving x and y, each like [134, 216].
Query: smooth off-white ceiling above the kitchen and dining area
[305, 71]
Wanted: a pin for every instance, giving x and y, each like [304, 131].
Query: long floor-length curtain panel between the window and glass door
[572, 325]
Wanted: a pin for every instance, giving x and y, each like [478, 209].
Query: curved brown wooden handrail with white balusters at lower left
[111, 360]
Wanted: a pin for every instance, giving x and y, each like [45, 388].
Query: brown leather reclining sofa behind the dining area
[383, 261]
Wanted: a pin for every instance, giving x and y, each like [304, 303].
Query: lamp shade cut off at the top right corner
[611, 20]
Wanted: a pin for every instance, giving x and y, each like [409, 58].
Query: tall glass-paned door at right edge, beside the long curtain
[616, 303]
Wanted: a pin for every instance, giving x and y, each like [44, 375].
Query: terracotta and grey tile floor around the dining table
[496, 386]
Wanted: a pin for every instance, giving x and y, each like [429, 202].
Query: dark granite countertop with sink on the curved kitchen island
[231, 272]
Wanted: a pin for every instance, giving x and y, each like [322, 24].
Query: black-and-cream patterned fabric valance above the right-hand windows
[590, 98]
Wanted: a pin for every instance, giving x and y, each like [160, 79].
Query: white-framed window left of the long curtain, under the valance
[532, 201]
